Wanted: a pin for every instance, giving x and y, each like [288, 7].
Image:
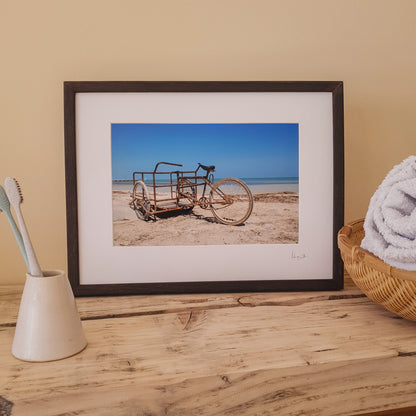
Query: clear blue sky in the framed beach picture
[237, 150]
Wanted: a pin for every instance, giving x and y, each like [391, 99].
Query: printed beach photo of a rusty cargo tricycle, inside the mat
[205, 184]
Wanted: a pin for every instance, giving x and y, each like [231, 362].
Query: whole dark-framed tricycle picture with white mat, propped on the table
[182, 187]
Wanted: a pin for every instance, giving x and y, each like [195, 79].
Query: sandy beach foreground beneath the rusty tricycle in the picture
[274, 220]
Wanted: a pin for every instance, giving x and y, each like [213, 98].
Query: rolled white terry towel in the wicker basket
[390, 223]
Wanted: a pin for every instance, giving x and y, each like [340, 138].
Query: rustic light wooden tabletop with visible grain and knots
[314, 353]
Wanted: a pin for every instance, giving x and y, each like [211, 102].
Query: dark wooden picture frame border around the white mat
[71, 89]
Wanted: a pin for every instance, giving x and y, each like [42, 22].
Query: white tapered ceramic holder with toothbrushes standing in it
[48, 325]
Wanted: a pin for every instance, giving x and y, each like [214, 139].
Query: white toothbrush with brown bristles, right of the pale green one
[15, 197]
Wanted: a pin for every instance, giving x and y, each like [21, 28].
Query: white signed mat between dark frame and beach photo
[100, 262]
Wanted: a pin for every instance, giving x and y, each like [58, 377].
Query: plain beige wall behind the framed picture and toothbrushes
[368, 44]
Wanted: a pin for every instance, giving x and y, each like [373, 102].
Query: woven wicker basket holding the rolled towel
[392, 288]
